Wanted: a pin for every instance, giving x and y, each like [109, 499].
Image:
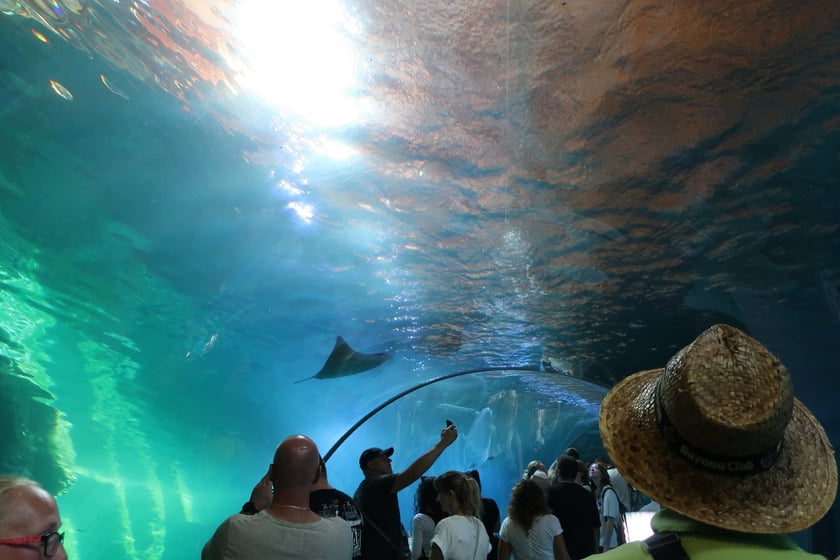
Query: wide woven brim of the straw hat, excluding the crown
[792, 495]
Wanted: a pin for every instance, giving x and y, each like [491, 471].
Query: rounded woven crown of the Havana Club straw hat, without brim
[726, 394]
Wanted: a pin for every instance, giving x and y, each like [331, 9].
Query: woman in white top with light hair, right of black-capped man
[461, 536]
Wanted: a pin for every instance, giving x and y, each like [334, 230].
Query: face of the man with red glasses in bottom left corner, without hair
[37, 515]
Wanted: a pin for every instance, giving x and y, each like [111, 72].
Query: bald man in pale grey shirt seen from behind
[287, 529]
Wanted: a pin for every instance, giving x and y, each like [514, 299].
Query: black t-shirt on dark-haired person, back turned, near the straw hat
[577, 510]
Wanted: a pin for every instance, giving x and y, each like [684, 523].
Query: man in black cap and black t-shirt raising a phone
[383, 535]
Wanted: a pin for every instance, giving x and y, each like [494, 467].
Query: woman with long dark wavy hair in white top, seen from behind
[530, 531]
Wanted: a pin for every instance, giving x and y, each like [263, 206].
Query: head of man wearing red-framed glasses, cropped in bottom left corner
[29, 522]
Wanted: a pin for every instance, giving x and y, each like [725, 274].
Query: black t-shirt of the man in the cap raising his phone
[380, 508]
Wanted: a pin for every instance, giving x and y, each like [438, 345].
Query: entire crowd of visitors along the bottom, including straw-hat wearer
[715, 440]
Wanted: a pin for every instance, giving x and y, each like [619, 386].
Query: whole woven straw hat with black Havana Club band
[718, 436]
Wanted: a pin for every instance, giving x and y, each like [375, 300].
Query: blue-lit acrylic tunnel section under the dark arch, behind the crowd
[505, 419]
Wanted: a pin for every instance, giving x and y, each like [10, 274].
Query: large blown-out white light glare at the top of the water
[299, 57]
